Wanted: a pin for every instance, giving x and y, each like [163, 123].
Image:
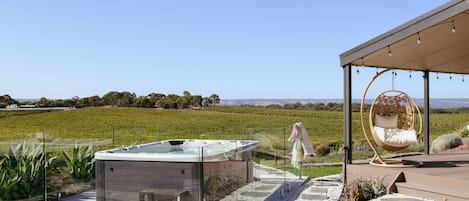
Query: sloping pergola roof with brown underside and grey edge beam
[441, 49]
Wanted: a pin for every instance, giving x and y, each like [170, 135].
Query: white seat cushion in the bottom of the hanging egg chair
[395, 136]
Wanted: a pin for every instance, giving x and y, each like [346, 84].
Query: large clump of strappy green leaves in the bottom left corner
[23, 174]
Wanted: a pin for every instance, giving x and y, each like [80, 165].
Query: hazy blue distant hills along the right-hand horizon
[434, 103]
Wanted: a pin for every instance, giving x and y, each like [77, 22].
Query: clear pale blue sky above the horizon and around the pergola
[236, 49]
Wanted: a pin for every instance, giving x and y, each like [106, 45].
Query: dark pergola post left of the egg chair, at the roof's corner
[348, 113]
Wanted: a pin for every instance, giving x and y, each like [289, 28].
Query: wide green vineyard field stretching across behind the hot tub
[139, 125]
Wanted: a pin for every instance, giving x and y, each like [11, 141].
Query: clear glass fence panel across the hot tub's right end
[252, 166]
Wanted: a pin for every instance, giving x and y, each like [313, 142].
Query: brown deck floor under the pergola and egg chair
[443, 176]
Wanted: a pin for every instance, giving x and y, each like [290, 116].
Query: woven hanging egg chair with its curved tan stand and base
[391, 122]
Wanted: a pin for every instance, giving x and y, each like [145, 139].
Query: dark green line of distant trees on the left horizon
[124, 99]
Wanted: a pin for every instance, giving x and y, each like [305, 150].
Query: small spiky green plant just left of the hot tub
[81, 163]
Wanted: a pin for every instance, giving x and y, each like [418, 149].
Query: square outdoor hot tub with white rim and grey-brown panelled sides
[174, 170]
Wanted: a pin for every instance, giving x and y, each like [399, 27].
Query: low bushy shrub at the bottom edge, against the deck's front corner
[362, 189]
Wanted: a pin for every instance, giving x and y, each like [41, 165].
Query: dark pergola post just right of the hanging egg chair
[426, 113]
